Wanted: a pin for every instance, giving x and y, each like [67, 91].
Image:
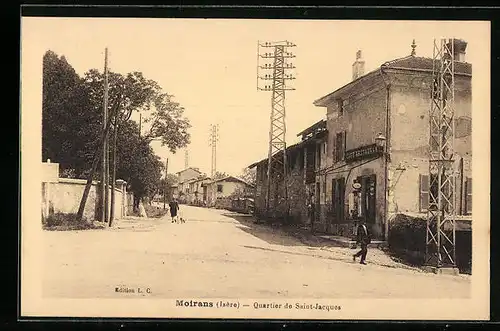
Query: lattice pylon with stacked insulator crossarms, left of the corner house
[277, 73]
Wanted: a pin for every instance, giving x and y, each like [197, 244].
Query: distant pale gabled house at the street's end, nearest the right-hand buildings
[226, 187]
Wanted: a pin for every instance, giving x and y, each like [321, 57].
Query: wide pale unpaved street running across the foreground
[221, 254]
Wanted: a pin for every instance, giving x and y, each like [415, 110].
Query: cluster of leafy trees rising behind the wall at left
[72, 123]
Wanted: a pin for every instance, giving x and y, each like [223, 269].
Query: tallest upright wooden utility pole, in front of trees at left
[103, 186]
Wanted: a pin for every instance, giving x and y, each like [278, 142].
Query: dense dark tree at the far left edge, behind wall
[68, 127]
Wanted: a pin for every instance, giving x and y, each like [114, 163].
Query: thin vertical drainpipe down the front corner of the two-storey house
[386, 152]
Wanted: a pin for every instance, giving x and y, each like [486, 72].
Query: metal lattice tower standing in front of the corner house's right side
[440, 238]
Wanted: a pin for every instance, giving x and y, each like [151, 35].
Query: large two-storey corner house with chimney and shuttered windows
[391, 105]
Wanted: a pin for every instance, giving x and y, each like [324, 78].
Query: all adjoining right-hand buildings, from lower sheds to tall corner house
[369, 158]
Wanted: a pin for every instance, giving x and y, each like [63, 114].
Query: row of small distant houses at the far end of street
[196, 188]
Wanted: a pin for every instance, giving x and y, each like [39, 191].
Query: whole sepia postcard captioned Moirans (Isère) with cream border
[276, 169]
